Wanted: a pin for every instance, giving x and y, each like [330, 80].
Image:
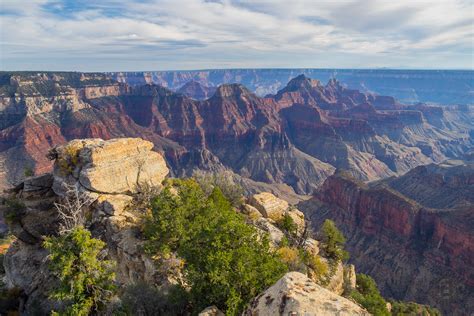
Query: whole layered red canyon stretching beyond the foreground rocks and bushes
[395, 176]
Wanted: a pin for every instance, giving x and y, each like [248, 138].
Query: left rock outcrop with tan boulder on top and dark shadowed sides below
[107, 174]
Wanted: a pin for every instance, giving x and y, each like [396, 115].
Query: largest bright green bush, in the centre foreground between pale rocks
[226, 263]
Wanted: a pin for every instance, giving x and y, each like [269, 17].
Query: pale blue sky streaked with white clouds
[129, 35]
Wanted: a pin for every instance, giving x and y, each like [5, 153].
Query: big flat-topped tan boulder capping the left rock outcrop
[116, 166]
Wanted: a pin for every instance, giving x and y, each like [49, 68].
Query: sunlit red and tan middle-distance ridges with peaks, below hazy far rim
[296, 137]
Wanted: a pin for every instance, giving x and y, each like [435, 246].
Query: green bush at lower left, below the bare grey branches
[85, 282]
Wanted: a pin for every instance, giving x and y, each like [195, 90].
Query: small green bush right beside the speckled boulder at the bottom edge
[367, 294]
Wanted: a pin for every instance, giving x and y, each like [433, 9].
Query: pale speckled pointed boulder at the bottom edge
[296, 294]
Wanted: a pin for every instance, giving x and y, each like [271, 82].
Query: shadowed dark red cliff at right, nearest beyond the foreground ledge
[413, 234]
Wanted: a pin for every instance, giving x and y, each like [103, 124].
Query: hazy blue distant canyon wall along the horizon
[409, 86]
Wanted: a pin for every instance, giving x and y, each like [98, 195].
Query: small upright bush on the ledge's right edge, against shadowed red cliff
[333, 241]
